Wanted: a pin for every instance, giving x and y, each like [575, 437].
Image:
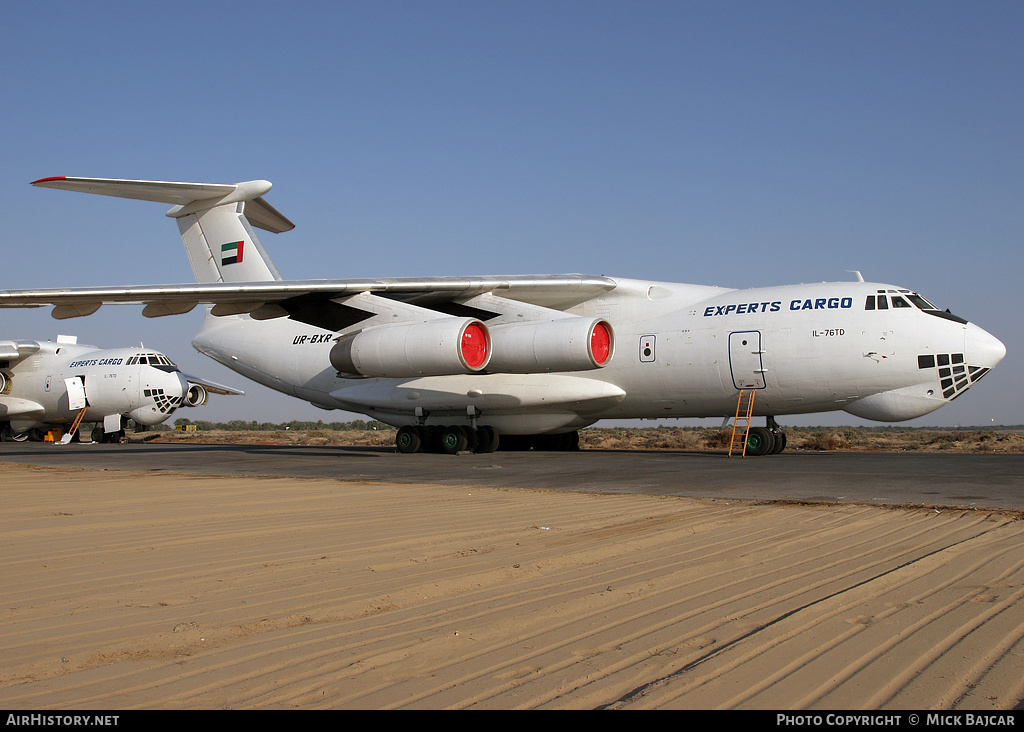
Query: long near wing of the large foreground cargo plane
[318, 303]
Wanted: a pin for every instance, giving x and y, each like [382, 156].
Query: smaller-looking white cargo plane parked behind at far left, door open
[47, 385]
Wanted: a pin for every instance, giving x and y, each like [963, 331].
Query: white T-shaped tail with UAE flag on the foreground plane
[216, 222]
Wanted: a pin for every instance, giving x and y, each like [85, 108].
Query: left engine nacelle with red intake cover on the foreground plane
[443, 348]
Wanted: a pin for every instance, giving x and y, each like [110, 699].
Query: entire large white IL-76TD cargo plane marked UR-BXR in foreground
[456, 363]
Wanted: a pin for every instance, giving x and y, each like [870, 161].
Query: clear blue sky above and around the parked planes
[731, 144]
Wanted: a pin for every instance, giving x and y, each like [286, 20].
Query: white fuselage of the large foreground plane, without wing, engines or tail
[680, 352]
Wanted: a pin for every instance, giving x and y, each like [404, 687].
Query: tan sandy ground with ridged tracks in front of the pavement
[129, 591]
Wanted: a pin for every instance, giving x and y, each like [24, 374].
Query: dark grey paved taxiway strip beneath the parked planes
[975, 482]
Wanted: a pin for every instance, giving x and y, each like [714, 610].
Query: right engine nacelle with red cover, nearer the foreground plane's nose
[544, 347]
